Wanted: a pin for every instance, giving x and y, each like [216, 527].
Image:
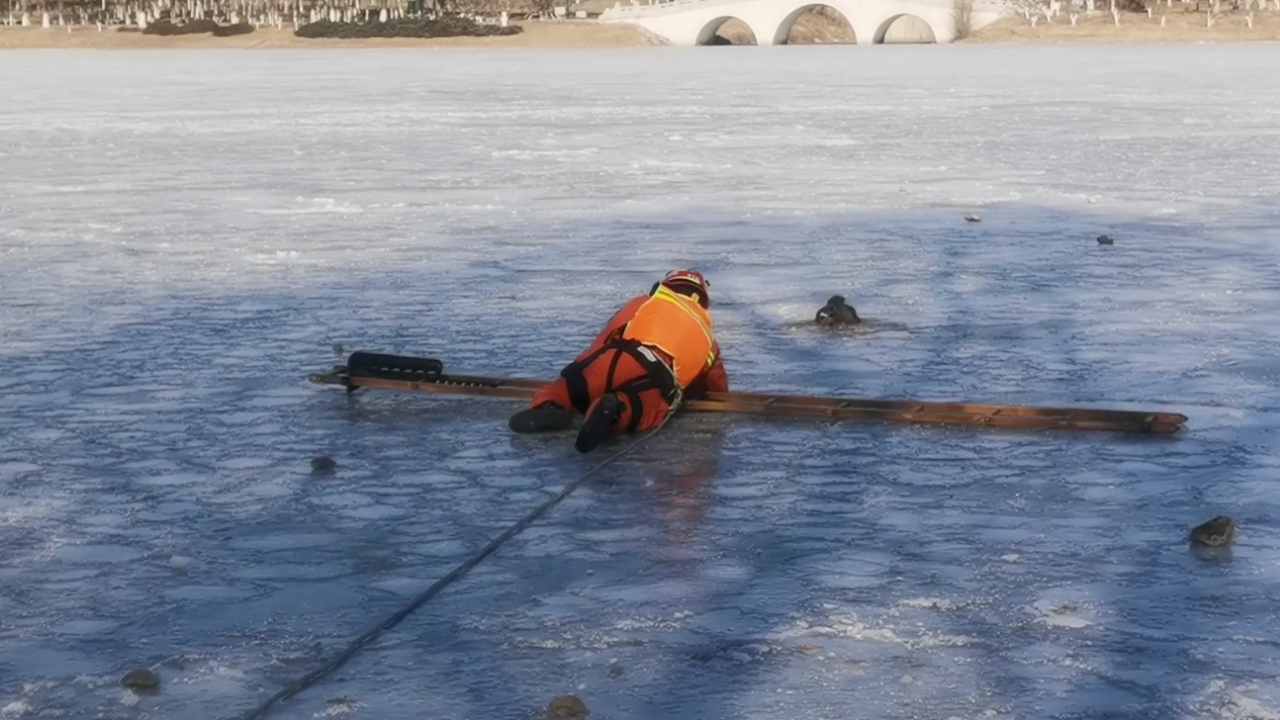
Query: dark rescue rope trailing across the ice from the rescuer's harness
[418, 601]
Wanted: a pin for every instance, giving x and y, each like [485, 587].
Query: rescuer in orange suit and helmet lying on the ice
[657, 349]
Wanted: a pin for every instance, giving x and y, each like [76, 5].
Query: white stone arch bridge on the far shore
[694, 22]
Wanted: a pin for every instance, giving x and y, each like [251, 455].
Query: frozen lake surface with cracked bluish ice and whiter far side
[185, 236]
